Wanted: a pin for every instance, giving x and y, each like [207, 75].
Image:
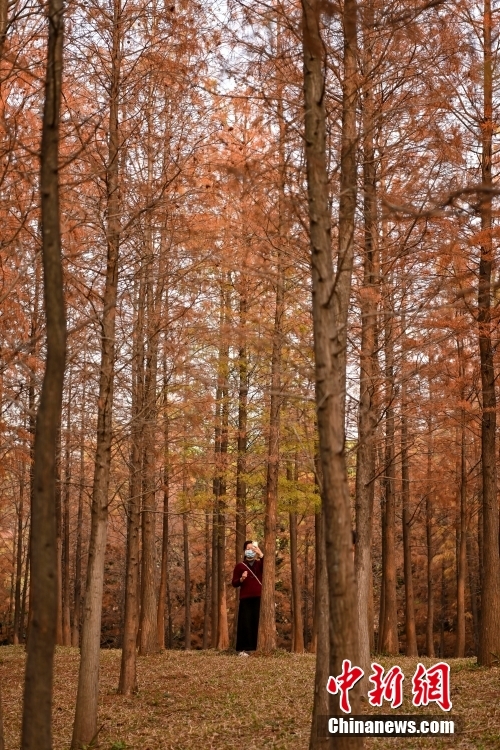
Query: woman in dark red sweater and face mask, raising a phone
[247, 576]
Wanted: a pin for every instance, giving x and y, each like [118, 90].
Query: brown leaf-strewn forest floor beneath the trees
[208, 700]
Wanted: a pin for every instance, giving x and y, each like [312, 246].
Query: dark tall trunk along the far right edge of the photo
[489, 639]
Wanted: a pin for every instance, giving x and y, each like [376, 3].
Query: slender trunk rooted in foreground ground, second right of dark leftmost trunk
[128, 669]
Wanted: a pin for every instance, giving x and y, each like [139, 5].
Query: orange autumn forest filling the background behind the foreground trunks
[192, 114]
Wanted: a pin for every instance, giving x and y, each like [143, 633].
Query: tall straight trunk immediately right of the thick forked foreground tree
[367, 417]
